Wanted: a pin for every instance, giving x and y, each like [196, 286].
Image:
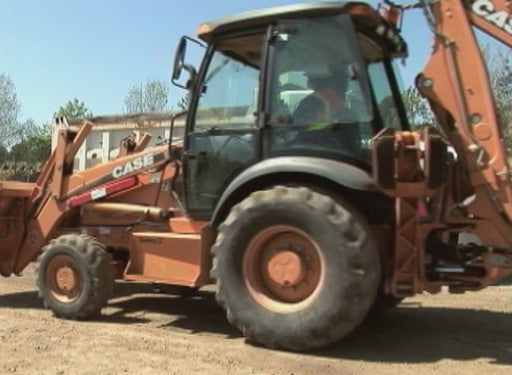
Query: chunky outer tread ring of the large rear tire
[360, 263]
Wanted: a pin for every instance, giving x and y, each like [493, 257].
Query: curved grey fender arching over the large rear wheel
[336, 171]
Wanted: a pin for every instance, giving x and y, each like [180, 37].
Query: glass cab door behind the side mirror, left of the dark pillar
[222, 138]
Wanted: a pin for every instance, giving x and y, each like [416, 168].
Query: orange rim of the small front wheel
[63, 280]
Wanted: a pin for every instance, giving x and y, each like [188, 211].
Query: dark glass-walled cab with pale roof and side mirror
[311, 80]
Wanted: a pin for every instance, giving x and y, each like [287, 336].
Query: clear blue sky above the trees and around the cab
[96, 50]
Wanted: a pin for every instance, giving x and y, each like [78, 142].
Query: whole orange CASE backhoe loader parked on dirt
[299, 188]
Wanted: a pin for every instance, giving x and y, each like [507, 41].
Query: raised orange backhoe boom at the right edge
[456, 83]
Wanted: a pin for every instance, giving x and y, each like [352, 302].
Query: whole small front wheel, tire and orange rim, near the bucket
[75, 276]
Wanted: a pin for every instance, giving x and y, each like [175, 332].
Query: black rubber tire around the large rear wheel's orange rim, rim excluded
[339, 290]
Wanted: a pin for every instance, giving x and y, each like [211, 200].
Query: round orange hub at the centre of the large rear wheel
[286, 268]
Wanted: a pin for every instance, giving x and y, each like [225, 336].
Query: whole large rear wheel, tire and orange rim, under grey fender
[295, 269]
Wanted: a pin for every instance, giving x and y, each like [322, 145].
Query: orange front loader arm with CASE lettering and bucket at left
[36, 209]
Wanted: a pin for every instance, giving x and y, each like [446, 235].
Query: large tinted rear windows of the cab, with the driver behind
[330, 90]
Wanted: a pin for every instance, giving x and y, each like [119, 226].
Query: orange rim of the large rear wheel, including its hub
[283, 268]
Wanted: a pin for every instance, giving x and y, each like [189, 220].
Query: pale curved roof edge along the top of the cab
[263, 17]
